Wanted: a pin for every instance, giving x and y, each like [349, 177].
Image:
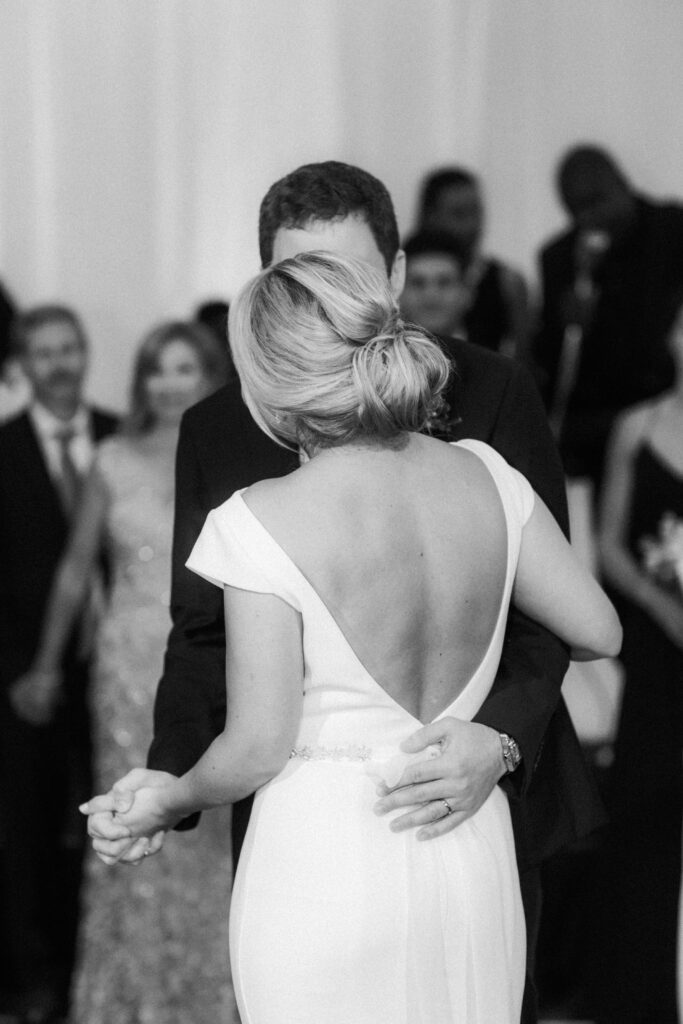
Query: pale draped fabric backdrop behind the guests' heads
[139, 137]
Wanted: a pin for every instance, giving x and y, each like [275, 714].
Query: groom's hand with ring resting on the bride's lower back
[461, 778]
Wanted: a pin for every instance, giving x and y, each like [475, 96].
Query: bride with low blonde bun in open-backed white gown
[365, 594]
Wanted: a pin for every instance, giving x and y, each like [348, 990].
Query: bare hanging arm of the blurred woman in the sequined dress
[35, 694]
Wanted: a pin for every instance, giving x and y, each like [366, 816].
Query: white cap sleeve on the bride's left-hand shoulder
[222, 557]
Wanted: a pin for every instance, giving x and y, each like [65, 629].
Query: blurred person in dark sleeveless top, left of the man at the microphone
[497, 314]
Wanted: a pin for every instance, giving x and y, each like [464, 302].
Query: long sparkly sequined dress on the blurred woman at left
[153, 943]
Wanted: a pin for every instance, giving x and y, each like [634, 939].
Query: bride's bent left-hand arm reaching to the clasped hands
[265, 679]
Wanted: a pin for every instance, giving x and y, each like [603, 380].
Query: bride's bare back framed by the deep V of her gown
[407, 548]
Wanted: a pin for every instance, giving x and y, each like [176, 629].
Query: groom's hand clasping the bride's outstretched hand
[112, 839]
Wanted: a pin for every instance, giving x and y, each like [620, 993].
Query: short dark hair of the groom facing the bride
[331, 191]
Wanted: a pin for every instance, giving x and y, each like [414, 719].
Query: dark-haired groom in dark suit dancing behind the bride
[523, 737]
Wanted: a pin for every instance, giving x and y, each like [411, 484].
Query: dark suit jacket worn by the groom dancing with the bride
[221, 450]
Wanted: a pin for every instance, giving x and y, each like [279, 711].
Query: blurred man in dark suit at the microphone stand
[608, 282]
